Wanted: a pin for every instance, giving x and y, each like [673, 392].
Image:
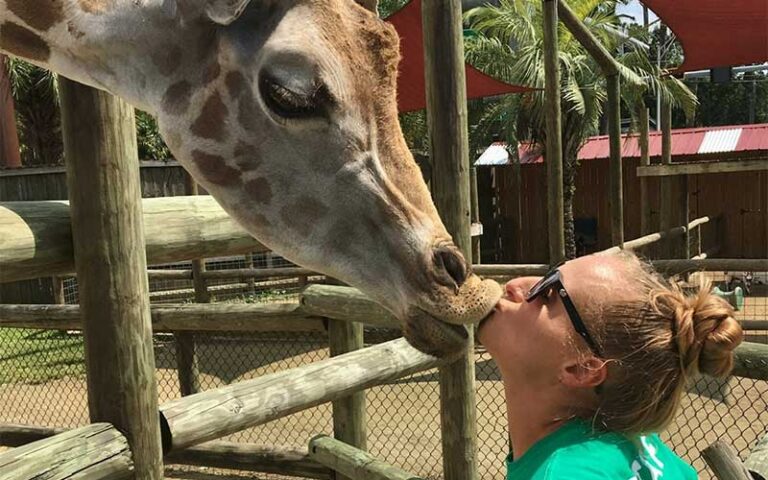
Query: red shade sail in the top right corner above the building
[716, 33]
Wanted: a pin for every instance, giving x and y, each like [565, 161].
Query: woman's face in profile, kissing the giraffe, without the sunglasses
[533, 341]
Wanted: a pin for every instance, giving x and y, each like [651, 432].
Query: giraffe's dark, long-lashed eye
[290, 104]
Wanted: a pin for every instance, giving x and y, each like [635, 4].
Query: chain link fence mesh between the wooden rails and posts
[42, 382]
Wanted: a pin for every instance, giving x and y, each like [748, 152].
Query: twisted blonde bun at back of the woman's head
[706, 331]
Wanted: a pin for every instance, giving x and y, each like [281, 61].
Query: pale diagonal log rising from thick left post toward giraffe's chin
[215, 413]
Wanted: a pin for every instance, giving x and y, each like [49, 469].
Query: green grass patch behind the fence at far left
[38, 356]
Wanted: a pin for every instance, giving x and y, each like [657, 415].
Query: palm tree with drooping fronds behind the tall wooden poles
[509, 45]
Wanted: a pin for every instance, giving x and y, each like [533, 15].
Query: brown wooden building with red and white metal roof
[739, 199]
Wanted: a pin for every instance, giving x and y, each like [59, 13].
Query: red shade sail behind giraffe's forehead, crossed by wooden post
[411, 85]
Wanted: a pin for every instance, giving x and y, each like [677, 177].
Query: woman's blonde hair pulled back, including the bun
[656, 336]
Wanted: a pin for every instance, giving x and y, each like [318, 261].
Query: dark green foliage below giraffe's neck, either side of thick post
[38, 119]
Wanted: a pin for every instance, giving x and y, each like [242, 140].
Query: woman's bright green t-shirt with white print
[577, 452]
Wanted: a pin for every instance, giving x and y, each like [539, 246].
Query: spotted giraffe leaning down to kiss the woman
[285, 112]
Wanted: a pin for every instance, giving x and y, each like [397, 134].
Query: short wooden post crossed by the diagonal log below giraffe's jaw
[349, 424]
